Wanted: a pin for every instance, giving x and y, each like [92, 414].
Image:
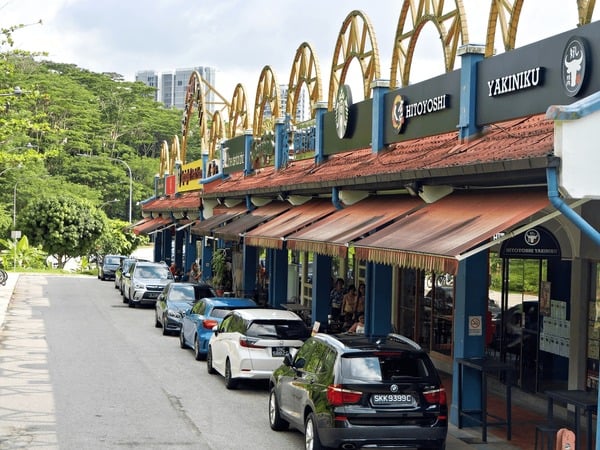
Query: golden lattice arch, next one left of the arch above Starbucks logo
[305, 70]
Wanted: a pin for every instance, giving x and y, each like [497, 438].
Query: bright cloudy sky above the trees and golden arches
[240, 37]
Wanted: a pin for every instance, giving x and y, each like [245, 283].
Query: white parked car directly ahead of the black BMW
[251, 343]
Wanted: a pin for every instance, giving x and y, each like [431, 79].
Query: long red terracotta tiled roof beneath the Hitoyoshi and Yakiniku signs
[517, 141]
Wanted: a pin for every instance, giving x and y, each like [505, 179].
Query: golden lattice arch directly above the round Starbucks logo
[356, 39]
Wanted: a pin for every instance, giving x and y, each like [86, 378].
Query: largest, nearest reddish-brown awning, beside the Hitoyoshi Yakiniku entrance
[434, 237]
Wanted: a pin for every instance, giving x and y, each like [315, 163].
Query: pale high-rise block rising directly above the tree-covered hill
[173, 86]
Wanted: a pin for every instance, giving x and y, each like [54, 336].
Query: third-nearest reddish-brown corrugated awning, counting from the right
[272, 233]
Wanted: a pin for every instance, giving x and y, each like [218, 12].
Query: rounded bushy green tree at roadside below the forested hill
[65, 227]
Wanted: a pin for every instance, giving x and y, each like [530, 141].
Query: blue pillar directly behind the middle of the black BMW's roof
[378, 320]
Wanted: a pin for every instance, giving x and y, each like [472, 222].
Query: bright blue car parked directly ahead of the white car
[198, 322]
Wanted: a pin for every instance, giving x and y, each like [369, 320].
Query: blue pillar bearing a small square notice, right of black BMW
[470, 306]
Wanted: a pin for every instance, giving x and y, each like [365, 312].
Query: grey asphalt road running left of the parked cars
[81, 370]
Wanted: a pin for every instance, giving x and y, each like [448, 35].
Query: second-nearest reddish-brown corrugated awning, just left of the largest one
[332, 234]
